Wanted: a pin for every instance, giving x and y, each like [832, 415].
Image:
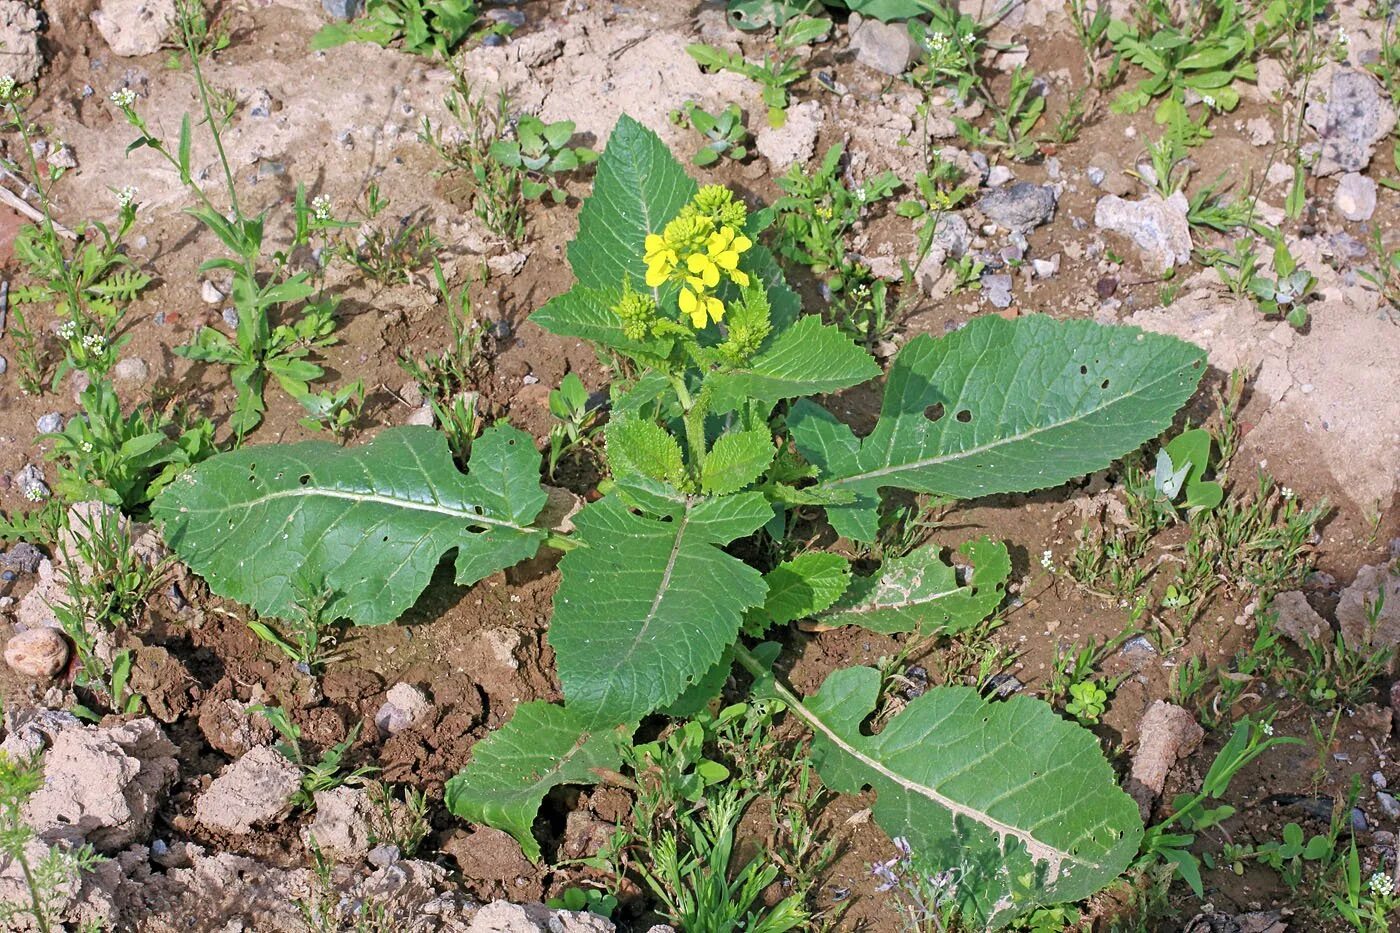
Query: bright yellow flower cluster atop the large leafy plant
[698, 249]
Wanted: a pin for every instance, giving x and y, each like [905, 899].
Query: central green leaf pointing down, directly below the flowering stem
[650, 604]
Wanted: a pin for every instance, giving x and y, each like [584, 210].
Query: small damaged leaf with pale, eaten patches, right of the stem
[920, 593]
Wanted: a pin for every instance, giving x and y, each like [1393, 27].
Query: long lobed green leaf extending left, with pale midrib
[370, 525]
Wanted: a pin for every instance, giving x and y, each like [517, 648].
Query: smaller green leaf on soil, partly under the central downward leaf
[512, 770]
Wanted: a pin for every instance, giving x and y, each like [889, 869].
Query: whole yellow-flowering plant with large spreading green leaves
[717, 439]
